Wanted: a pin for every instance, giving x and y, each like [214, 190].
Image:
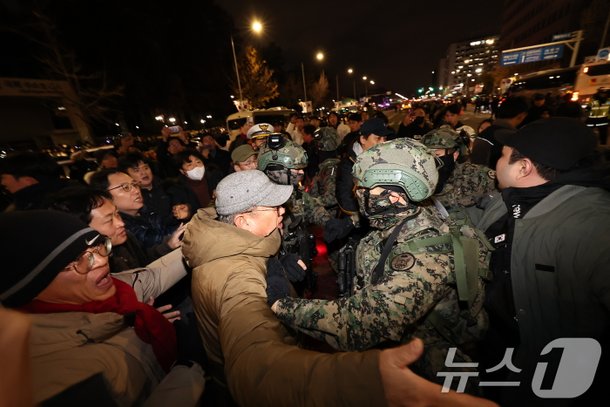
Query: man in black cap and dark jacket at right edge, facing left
[551, 263]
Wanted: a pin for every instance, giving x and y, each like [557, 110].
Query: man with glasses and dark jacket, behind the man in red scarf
[150, 231]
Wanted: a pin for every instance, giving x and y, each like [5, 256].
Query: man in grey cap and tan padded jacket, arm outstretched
[252, 357]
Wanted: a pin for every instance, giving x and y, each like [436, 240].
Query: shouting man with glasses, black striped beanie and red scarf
[92, 337]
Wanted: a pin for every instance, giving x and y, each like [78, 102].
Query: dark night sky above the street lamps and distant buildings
[395, 42]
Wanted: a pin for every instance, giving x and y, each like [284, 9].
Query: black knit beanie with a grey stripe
[34, 247]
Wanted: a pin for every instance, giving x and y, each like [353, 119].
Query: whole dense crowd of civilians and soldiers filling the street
[184, 273]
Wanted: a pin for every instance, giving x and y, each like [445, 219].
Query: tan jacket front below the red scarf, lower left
[67, 348]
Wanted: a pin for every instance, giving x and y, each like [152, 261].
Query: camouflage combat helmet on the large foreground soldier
[405, 163]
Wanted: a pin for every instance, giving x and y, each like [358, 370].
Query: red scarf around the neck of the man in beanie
[150, 325]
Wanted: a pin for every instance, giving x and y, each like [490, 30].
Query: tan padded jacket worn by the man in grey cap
[245, 341]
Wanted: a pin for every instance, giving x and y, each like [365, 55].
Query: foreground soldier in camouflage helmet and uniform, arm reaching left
[413, 292]
